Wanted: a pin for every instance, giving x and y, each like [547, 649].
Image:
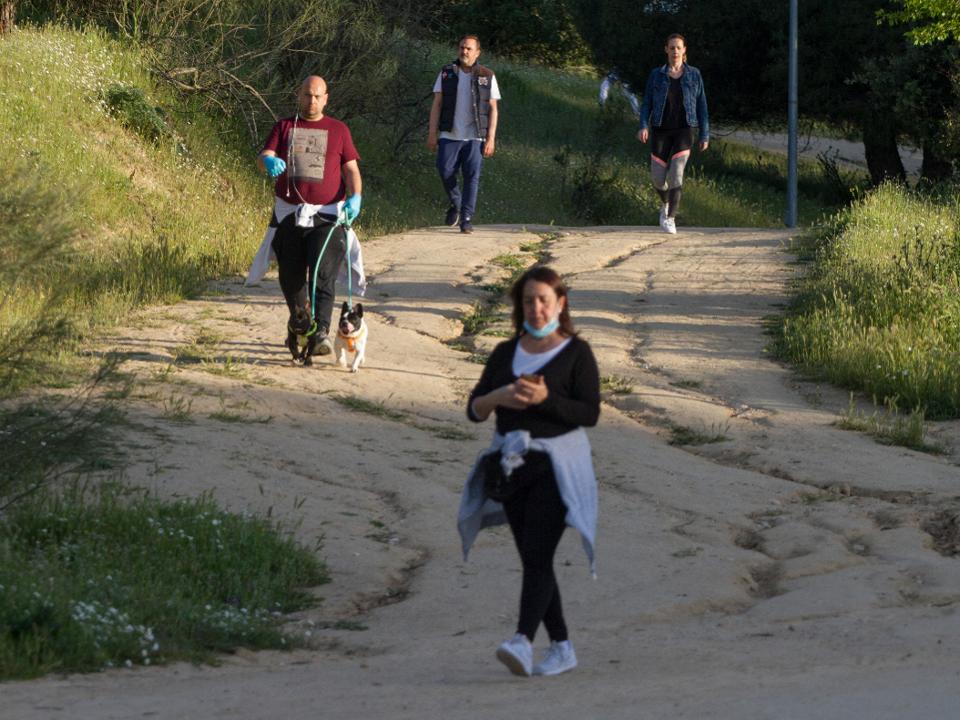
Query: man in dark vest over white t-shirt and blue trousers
[464, 112]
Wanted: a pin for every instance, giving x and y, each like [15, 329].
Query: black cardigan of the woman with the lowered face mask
[573, 382]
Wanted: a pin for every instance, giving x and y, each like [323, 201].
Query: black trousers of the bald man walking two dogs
[297, 249]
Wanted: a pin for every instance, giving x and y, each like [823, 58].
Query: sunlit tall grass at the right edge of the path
[880, 310]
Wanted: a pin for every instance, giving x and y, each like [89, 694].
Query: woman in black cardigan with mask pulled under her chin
[537, 474]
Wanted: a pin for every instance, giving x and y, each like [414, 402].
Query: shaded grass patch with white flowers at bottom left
[118, 579]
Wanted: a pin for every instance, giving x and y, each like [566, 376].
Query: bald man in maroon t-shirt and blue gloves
[315, 164]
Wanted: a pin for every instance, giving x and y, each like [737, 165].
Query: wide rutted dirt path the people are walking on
[778, 572]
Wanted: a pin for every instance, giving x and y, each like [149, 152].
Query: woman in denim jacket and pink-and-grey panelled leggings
[674, 103]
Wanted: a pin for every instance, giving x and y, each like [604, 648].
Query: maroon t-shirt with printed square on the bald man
[314, 151]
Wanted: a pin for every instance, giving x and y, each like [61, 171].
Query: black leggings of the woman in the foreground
[536, 515]
